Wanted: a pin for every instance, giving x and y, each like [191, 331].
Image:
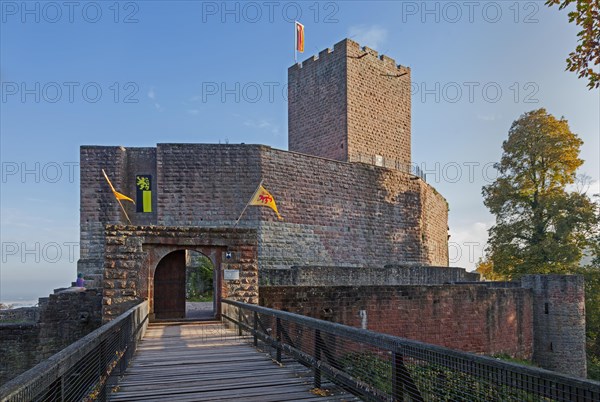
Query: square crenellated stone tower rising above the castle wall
[350, 104]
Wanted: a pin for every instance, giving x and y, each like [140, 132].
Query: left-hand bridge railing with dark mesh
[85, 369]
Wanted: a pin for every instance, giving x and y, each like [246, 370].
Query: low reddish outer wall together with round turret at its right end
[541, 317]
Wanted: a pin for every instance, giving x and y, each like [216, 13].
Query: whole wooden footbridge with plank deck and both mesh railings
[273, 355]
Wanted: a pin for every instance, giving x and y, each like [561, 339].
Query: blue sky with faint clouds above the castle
[135, 73]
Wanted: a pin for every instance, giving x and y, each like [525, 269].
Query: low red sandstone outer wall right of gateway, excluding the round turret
[464, 317]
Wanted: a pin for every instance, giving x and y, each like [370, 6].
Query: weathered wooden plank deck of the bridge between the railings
[206, 362]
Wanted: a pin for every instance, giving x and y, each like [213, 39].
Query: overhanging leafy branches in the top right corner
[587, 53]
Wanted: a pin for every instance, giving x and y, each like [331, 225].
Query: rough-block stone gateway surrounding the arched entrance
[132, 254]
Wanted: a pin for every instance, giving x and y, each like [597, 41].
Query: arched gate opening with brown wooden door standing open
[187, 285]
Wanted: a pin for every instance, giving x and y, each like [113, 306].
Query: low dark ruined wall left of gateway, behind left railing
[61, 319]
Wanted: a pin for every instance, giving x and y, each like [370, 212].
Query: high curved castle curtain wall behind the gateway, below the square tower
[335, 213]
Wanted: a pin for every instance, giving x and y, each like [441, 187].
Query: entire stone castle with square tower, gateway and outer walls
[363, 242]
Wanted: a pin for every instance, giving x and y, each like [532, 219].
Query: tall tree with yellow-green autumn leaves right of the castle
[541, 227]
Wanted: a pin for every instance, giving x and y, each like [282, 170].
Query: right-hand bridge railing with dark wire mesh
[381, 367]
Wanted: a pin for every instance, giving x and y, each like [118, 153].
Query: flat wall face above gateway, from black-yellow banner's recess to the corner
[203, 184]
